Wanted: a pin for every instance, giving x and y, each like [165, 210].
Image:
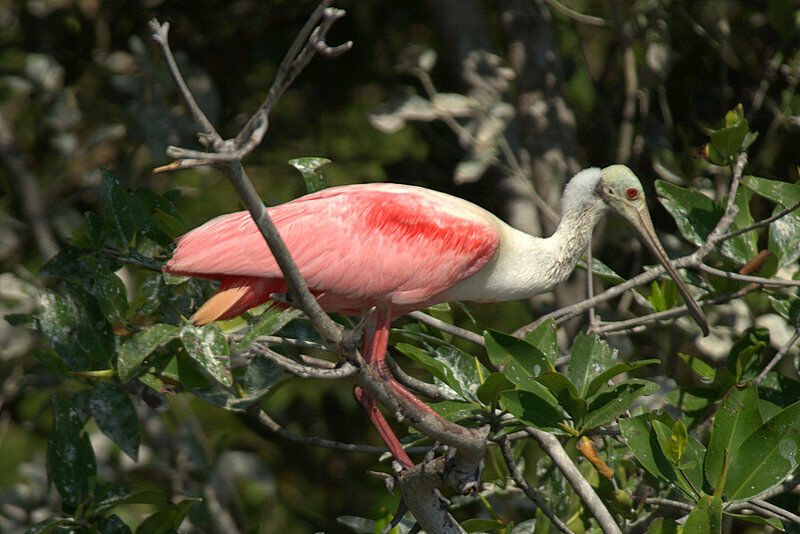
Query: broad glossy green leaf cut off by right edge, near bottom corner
[766, 457]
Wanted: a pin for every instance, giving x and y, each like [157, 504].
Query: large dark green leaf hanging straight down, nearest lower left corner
[71, 464]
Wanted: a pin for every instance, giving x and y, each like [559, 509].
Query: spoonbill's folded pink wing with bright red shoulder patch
[356, 246]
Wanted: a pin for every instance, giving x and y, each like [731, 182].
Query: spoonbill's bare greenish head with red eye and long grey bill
[622, 192]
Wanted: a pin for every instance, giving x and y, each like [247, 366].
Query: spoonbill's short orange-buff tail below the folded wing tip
[236, 295]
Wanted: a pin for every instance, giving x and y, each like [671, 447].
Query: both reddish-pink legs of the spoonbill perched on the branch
[376, 339]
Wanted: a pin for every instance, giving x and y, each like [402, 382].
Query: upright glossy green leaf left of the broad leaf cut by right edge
[737, 417]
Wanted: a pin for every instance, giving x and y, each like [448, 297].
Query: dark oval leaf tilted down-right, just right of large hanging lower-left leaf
[116, 417]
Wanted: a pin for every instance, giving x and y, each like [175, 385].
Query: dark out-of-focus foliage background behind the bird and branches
[82, 85]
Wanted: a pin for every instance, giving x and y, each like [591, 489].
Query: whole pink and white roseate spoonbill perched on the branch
[400, 248]
